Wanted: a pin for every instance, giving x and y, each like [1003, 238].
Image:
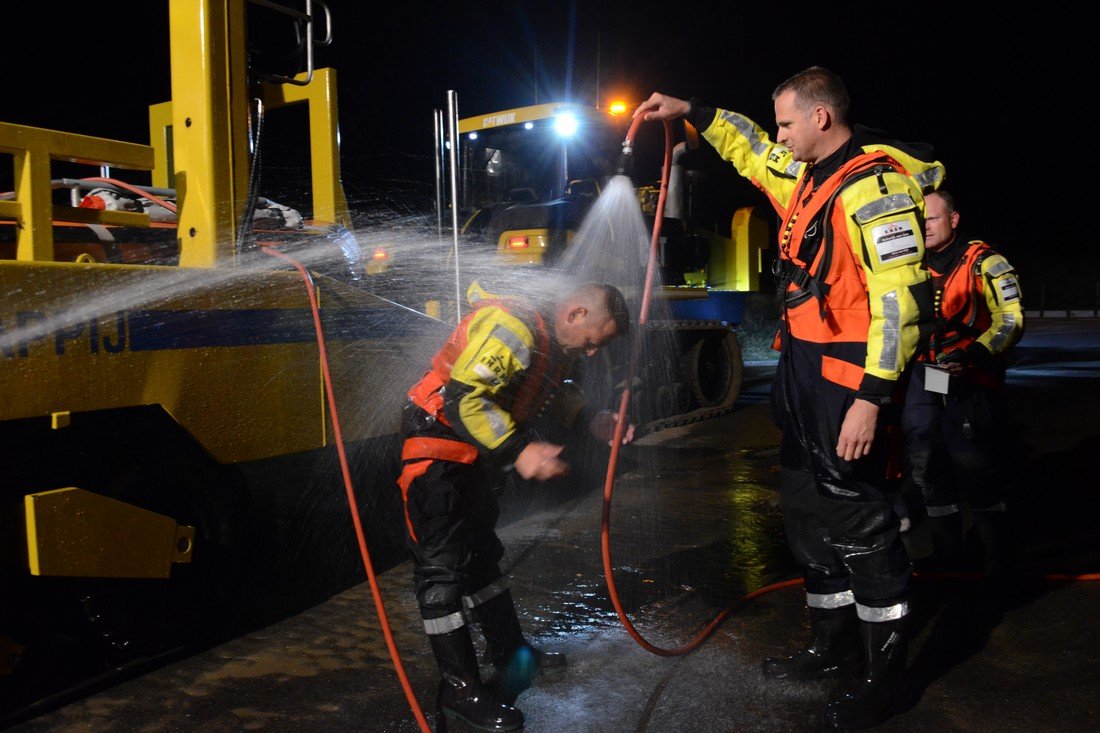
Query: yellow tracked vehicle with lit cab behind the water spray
[526, 181]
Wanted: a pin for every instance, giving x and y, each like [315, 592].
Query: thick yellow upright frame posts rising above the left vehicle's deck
[202, 135]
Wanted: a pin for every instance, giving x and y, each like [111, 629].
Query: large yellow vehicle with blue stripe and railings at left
[171, 466]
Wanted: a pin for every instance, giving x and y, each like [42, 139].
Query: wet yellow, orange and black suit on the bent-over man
[465, 423]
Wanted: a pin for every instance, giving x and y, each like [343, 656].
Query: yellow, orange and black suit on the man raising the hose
[855, 296]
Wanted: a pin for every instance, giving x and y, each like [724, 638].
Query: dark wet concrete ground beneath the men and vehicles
[695, 528]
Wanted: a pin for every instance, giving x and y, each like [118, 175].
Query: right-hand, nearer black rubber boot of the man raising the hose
[883, 692]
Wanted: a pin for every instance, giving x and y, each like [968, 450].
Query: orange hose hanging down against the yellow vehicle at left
[353, 505]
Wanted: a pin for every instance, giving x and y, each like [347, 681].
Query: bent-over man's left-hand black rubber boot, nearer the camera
[461, 693]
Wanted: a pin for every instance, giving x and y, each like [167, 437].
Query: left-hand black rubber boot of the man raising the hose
[833, 651]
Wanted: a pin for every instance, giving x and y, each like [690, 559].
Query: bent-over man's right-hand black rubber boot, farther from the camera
[518, 662]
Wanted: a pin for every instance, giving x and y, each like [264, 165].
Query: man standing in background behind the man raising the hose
[955, 414]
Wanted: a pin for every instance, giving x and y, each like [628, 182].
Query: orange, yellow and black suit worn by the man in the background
[955, 441]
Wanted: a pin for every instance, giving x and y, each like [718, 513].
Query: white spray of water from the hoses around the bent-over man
[612, 245]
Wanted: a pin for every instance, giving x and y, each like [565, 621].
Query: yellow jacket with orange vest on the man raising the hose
[851, 250]
